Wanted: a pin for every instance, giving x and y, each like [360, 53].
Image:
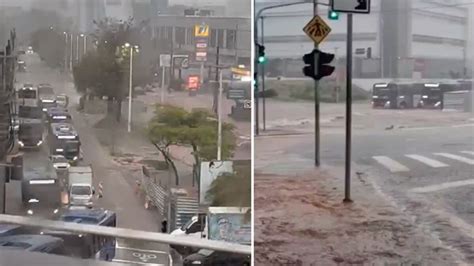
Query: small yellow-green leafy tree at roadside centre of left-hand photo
[173, 125]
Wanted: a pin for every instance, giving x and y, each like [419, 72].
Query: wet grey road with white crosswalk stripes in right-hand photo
[425, 167]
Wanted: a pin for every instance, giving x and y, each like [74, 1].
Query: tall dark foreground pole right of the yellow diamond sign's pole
[347, 186]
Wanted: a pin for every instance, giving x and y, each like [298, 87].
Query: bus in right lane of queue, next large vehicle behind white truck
[64, 140]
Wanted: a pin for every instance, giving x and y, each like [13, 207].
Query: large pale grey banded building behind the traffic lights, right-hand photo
[403, 38]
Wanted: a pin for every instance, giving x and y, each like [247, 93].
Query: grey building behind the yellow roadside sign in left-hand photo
[175, 34]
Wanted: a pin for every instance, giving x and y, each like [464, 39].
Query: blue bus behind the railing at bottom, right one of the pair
[88, 245]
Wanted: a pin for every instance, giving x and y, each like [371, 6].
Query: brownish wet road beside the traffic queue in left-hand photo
[118, 194]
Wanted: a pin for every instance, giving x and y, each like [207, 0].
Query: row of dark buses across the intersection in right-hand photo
[407, 94]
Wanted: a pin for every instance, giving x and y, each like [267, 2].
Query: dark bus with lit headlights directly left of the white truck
[41, 192]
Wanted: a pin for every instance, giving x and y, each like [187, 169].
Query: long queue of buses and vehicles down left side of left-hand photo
[58, 189]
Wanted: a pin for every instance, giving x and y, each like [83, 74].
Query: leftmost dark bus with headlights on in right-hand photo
[395, 95]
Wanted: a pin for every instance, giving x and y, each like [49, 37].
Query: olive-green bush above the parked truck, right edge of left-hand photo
[231, 190]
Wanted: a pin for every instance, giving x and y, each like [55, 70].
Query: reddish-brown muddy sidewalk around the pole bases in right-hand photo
[301, 220]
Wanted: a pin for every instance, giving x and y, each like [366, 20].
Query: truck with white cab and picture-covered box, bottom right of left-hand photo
[229, 224]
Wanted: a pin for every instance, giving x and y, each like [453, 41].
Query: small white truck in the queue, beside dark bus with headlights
[80, 188]
